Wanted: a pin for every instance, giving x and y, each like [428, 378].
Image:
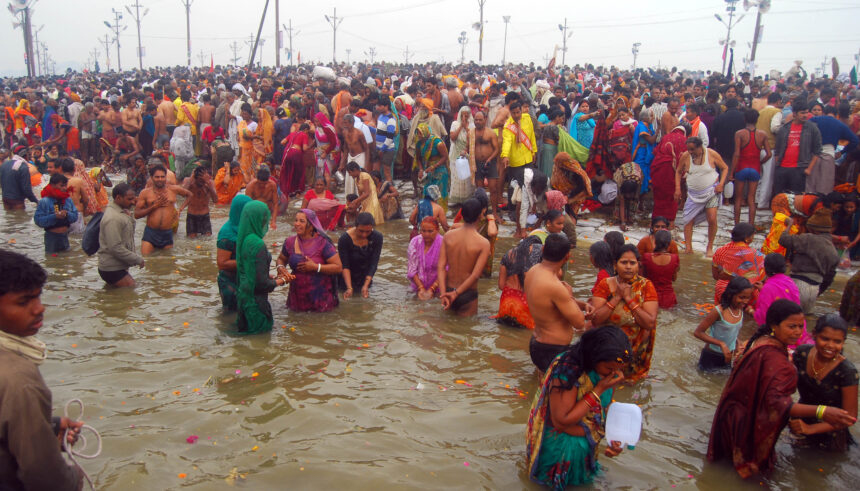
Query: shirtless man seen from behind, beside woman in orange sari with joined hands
[555, 312]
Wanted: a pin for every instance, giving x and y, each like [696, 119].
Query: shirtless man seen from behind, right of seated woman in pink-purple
[462, 259]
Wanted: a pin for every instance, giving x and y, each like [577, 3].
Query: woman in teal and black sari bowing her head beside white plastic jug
[568, 415]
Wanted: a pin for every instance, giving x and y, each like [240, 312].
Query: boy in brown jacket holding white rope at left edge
[30, 451]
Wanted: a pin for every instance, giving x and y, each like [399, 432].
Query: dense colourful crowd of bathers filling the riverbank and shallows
[481, 147]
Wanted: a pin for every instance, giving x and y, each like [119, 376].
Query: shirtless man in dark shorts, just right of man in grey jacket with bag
[158, 205]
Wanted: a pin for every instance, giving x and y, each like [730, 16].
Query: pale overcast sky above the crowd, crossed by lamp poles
[672, 33]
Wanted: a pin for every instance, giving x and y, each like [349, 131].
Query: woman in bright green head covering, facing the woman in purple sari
[253, 259]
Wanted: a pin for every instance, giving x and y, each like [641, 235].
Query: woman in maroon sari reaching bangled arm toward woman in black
[756, 402]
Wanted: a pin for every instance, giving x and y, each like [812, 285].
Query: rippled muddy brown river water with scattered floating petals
[386, 392]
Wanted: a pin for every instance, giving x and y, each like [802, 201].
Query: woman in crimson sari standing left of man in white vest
[666, 157]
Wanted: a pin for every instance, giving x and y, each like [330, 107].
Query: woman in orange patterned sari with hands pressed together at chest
[629, 301]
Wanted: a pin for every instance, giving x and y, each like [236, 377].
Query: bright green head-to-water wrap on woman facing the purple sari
[252, 228]
